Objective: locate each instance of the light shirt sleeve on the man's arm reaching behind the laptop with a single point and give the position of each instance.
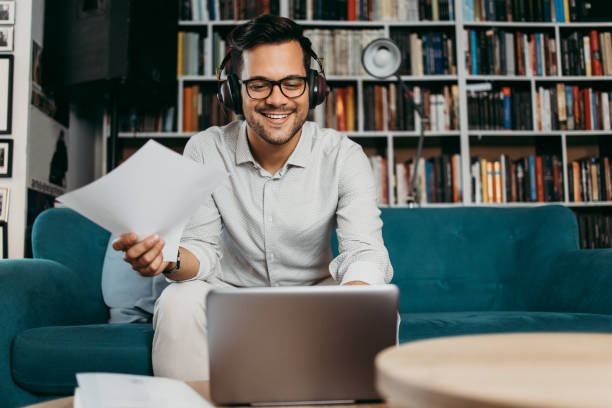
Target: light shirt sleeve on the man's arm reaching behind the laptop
(362, 253)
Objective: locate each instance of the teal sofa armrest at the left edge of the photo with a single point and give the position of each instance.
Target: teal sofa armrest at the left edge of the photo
(35, 293)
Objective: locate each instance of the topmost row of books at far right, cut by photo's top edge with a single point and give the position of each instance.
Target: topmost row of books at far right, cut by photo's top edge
(532, 10)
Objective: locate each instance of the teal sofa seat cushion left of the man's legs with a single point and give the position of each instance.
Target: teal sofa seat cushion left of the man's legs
(46, 359)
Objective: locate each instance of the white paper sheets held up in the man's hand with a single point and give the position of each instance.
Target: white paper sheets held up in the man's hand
(155, 191)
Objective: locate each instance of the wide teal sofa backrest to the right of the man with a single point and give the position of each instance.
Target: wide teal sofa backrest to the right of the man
(475, 258)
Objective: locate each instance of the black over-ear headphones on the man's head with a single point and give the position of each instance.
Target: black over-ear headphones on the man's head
(229, 95)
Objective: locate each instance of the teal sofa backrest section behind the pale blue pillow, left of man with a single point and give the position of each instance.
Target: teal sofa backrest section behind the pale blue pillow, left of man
(63, 235)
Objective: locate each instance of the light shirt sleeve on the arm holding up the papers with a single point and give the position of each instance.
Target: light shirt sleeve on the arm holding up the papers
(202, 233)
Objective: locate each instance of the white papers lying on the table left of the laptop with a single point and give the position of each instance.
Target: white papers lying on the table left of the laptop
(106, 390)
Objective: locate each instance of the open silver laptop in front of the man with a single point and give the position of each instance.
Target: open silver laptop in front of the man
(298, 344)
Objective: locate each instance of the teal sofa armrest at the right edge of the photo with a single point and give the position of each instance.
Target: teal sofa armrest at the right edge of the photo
(581, 282)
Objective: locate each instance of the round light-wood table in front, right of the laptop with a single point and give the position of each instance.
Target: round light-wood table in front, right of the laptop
(500, 370)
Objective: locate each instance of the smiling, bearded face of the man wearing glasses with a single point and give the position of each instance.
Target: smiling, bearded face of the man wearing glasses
(277, 118)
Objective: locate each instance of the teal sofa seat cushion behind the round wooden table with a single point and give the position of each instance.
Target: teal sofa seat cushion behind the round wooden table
(417, 326)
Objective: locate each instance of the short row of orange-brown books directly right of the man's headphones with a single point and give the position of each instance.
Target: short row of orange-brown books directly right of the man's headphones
(338, 110)
